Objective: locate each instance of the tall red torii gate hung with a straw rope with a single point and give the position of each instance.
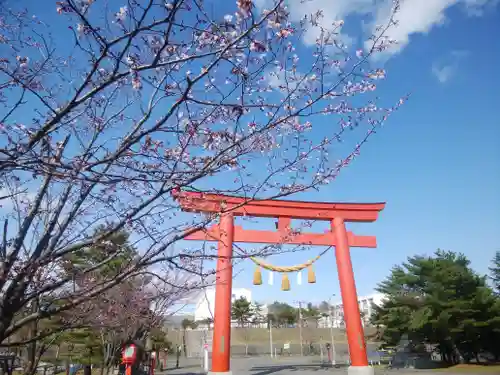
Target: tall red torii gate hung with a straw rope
(226, 233)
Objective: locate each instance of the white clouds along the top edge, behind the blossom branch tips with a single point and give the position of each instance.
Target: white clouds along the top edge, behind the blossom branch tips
(415, 16)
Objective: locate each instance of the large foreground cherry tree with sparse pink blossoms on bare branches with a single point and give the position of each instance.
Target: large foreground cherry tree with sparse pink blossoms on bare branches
(108, 109)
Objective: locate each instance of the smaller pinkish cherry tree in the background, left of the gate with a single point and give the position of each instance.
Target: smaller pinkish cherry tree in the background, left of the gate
(126, 312)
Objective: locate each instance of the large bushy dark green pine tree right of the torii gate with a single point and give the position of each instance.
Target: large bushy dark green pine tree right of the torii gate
(440, 300)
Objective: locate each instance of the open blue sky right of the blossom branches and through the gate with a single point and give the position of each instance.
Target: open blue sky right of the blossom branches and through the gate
(436, 162)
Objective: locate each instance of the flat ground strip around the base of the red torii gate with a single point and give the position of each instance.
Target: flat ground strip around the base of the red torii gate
(310, 366)
